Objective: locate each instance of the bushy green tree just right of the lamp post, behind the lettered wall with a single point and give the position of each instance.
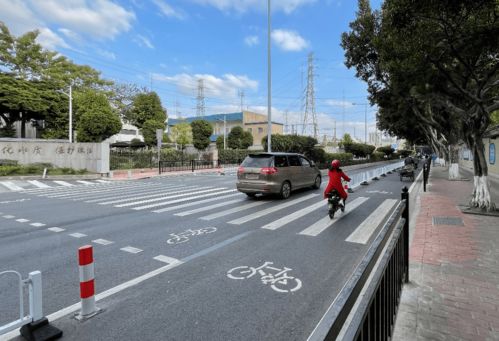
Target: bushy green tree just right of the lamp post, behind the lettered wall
(97, 120)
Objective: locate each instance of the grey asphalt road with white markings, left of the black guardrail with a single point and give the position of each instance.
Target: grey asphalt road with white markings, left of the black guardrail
(151, 289)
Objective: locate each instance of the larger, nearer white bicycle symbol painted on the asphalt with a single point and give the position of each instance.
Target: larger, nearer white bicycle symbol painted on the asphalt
(278, 279)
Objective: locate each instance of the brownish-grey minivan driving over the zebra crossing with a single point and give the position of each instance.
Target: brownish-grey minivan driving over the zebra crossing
(276, 173)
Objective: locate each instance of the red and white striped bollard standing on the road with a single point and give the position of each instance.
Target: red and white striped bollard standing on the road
(87, 284)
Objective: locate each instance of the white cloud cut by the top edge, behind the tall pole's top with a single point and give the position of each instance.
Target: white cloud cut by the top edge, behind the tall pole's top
(242, 6)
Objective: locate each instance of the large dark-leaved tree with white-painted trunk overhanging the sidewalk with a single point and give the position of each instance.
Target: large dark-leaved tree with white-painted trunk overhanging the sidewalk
(432, 69)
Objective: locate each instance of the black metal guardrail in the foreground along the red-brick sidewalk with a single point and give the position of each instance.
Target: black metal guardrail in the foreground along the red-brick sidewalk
(371, 316)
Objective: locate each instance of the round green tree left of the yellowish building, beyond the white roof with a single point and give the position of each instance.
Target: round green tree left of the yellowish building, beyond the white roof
(145, 106)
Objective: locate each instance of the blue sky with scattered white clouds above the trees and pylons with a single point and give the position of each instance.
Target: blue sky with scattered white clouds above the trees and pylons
(168, 45)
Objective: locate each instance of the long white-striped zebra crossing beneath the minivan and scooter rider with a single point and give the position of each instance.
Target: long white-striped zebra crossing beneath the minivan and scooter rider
(225, 204)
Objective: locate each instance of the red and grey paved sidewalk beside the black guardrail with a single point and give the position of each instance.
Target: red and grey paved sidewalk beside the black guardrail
(453, 293)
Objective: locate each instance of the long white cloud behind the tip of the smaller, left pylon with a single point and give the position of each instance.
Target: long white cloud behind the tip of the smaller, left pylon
(224, 87)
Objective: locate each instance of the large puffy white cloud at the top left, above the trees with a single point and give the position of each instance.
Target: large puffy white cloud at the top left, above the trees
(101, 19)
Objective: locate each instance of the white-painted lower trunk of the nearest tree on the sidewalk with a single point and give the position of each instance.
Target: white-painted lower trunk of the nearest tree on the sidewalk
(481, 187)
